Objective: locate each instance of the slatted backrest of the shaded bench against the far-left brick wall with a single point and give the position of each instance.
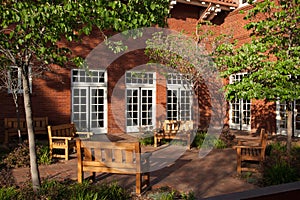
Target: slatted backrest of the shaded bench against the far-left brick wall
(38, 122)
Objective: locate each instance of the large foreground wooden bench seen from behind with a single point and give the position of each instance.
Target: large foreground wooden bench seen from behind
(113, 157)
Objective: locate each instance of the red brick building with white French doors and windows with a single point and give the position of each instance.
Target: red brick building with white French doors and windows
(109, 101)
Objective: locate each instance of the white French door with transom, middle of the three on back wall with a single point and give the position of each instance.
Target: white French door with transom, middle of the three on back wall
(140, 100)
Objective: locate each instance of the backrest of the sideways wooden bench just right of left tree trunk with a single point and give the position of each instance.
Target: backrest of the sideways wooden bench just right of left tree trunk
(63, 130)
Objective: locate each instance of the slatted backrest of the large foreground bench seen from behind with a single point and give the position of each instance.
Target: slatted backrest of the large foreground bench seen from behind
(114, 157)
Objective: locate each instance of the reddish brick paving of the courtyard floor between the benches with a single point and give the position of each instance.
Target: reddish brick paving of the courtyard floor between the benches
(215, 174)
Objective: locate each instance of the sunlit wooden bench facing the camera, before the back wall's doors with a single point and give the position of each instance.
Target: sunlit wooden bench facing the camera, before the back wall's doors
(173, 129)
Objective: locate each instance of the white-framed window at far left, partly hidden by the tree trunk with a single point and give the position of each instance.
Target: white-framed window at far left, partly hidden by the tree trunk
(15, 80)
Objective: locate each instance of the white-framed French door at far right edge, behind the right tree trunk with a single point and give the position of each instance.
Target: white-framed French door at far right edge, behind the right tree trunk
(282, 118)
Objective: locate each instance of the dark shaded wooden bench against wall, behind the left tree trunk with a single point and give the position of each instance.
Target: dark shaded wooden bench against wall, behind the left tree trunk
(11, 127)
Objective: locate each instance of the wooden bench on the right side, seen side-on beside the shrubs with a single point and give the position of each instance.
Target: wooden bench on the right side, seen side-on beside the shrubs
(251, 152)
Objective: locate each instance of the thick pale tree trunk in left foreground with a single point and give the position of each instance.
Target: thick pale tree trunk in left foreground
(35, 175)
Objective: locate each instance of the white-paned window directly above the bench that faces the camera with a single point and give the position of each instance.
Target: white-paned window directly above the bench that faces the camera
(179, 98)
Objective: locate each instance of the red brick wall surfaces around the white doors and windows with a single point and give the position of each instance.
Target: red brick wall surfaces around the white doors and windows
(52, 95)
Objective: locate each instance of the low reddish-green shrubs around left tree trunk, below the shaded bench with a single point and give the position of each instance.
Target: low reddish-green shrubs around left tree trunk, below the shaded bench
(19, 156)
